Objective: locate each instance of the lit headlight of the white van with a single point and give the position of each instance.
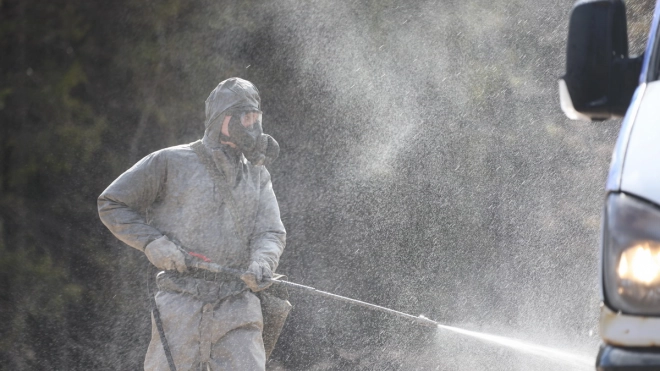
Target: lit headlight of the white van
(631, 255)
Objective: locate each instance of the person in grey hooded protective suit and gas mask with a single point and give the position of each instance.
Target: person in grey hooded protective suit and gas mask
(212, 197)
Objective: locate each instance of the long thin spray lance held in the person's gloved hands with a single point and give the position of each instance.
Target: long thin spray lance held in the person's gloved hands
(199, 261)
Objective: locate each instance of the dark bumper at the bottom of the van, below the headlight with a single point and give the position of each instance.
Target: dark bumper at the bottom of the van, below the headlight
(611, 358)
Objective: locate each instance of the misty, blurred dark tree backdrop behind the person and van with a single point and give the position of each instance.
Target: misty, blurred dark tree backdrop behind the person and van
(424, 167)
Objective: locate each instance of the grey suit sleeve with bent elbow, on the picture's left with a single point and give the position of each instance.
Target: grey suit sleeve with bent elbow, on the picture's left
(123, 205)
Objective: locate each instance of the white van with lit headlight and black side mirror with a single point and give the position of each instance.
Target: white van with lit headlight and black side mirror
(602, 82)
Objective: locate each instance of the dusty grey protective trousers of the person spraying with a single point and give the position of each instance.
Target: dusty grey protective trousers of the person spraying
(225, 335)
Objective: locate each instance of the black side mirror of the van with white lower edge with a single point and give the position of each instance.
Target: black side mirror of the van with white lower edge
(600, 79)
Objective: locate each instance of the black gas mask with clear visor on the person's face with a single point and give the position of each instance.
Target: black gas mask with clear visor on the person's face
(245, 132)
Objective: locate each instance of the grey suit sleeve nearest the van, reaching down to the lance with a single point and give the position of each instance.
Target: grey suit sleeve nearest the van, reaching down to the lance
(269, 236)
